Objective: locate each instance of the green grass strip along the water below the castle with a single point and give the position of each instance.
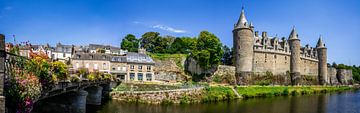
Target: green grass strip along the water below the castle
(265, 91)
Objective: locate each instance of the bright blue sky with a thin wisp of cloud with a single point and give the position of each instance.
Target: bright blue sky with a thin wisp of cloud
(81, 22)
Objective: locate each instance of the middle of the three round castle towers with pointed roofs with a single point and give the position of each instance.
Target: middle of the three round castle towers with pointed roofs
(294, 43)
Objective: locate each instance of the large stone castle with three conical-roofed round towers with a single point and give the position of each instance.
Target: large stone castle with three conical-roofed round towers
(256, 54)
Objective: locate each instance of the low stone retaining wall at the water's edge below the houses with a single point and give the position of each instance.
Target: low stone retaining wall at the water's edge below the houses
(158, 97)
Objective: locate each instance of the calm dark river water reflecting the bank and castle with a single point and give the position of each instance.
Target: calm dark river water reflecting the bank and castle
(345, 102)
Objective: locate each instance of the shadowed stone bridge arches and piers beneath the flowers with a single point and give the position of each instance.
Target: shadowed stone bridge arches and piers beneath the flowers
(68, 97)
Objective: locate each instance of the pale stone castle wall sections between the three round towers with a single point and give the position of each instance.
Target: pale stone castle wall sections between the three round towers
(279, 63)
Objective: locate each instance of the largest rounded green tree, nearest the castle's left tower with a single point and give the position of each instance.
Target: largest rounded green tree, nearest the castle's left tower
(208, 52)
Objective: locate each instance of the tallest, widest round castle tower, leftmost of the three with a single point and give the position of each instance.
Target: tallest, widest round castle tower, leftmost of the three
(243, 46)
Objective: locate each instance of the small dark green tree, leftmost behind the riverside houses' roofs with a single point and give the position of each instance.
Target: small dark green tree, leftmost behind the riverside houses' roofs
(130, 43)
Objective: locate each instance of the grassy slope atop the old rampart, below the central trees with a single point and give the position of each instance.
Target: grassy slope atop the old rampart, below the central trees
(176, 57)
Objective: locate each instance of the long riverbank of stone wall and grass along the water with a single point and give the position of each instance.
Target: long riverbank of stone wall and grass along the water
(218, 93)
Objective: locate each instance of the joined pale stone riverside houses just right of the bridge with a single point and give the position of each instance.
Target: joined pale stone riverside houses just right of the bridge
(127, 67)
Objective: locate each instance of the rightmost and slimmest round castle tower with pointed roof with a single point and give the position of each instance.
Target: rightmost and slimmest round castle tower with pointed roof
(322, 65)
